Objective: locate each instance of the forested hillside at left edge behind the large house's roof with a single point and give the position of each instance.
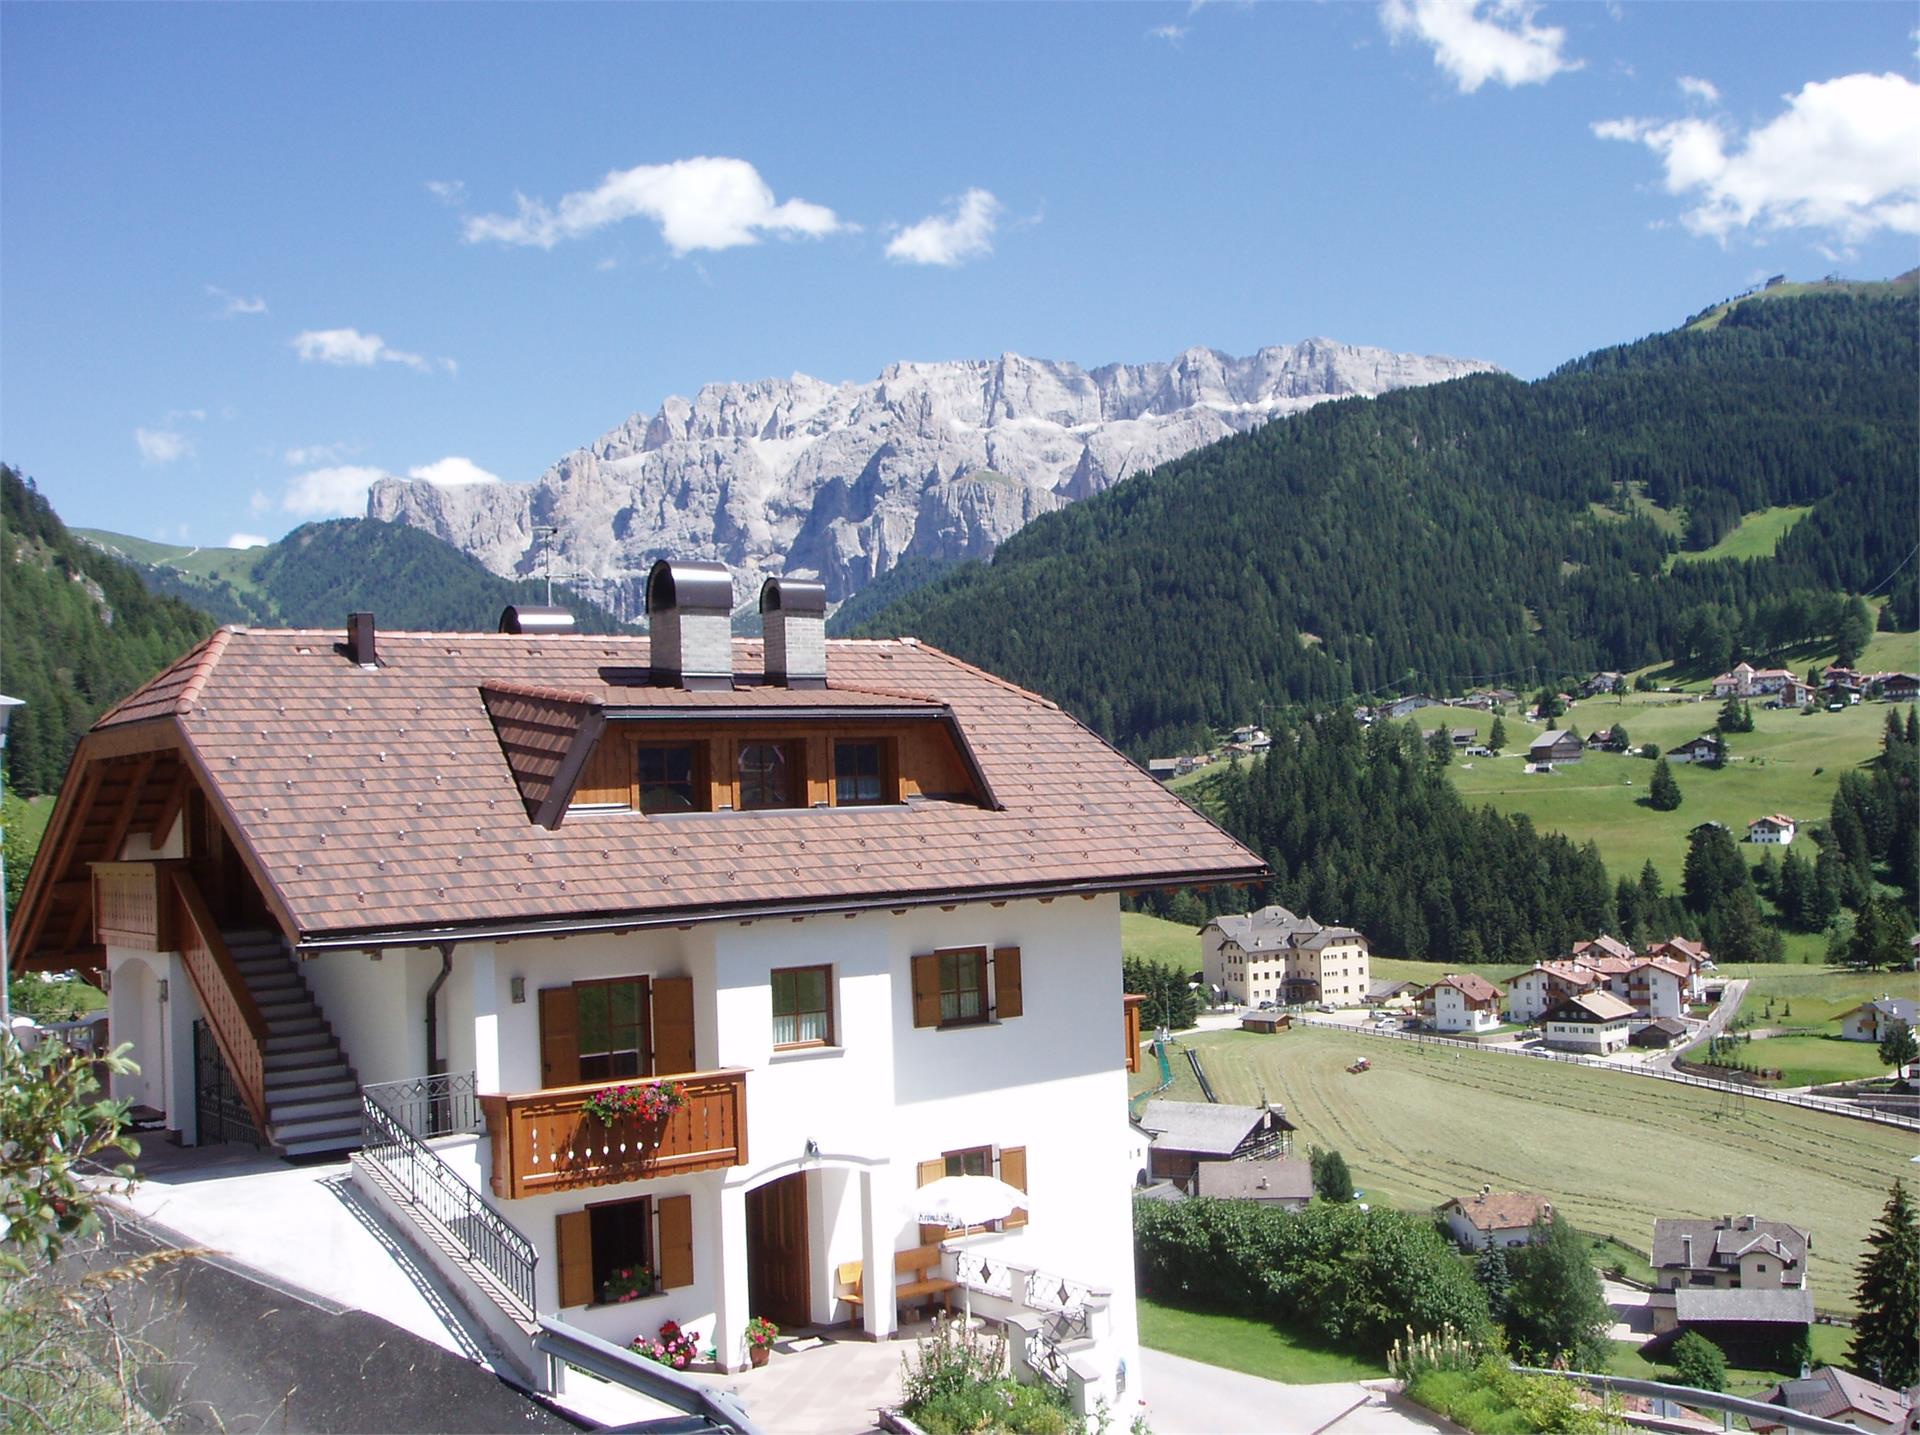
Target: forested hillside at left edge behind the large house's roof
(78, 633)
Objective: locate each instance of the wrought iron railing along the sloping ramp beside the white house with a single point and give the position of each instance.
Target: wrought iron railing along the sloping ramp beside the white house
(433, 1186)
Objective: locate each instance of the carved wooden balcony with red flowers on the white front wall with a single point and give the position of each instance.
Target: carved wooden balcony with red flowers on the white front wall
(544, 1142)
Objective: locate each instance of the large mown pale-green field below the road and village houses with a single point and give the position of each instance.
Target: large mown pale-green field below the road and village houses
(1614, 1152)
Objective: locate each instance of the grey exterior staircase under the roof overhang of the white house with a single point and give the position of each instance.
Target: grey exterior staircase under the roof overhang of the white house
(314, 1098)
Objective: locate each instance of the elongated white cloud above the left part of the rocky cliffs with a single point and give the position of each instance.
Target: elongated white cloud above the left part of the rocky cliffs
(700, 205)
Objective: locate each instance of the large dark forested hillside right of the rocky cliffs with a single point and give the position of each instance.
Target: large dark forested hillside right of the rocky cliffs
(1477, 531)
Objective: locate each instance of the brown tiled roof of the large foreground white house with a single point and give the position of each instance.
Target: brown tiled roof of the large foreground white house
(381, 800)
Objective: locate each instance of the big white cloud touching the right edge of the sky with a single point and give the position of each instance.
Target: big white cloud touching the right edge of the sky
(1842, 158)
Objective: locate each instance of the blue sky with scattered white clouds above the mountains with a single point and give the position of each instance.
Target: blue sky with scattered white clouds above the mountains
(254, 256)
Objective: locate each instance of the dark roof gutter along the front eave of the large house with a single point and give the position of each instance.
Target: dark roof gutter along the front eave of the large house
(427, 936)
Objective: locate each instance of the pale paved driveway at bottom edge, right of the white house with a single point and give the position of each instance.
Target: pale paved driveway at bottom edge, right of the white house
(1188, 1398)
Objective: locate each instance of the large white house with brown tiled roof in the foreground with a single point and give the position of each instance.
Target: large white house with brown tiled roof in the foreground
(823, 921)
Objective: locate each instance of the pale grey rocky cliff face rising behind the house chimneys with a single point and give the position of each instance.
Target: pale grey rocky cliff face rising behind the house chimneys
(844, 481)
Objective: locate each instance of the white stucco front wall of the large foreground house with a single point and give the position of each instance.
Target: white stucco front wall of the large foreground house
(882, 1100)
